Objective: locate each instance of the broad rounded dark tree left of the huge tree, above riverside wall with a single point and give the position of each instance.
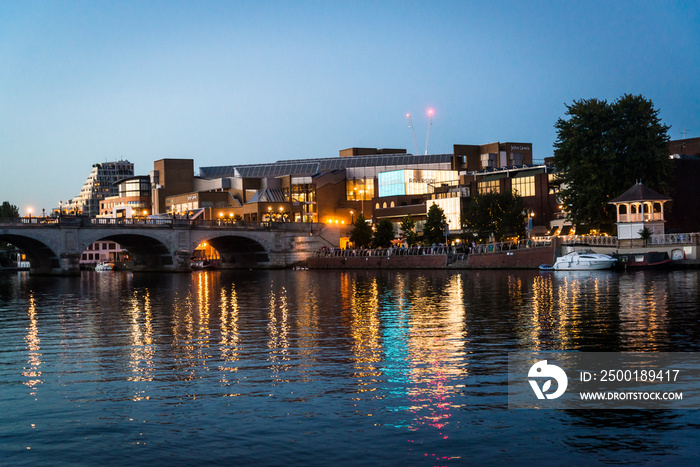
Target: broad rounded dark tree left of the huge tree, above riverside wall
(498, 214)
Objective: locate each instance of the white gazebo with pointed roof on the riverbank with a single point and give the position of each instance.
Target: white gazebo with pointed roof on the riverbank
(637, 208)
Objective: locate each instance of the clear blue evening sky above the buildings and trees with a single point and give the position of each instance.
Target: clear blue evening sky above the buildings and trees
(257, 81)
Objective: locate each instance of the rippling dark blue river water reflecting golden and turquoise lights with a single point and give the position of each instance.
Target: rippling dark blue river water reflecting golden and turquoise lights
(326, 367)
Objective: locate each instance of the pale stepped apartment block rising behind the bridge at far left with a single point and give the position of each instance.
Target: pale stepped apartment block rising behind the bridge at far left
(100, 184)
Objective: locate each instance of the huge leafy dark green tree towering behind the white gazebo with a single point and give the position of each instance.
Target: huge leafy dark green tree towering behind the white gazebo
(603, 149)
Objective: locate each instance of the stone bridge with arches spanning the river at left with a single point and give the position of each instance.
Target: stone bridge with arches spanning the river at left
(54, 245)
